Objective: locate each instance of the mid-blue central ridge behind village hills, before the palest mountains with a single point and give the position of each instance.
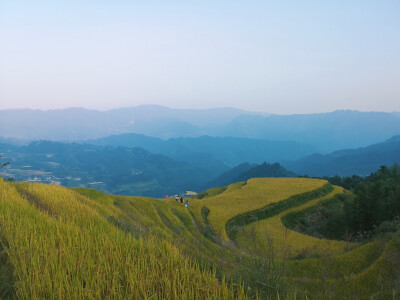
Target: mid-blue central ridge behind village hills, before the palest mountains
(218, 154)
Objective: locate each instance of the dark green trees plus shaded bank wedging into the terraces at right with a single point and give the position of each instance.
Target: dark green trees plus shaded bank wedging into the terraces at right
(371, 208)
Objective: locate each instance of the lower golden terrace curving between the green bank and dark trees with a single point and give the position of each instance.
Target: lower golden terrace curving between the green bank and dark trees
(271, 232)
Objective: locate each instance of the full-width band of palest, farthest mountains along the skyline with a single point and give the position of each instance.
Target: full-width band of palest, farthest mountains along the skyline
(326, 132)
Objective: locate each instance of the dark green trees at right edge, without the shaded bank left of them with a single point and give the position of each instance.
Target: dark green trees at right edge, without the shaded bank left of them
(372, 207)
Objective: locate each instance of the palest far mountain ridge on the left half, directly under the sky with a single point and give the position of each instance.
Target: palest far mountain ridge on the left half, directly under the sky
(79, 124)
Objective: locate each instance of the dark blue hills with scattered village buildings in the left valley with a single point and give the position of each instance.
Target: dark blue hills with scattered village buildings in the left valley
(114, 170)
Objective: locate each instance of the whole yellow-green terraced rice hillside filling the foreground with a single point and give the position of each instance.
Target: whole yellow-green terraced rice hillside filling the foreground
(80, 243)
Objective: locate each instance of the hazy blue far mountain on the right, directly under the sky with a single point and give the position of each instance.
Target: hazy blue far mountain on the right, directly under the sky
(328, 131)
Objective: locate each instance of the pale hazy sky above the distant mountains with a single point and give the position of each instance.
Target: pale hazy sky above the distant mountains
(272, 56)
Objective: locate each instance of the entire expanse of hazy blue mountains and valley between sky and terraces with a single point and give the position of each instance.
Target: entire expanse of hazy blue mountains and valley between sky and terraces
(189, 149)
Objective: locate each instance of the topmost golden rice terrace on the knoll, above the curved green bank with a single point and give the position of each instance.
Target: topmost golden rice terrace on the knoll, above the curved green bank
(241, 198)
